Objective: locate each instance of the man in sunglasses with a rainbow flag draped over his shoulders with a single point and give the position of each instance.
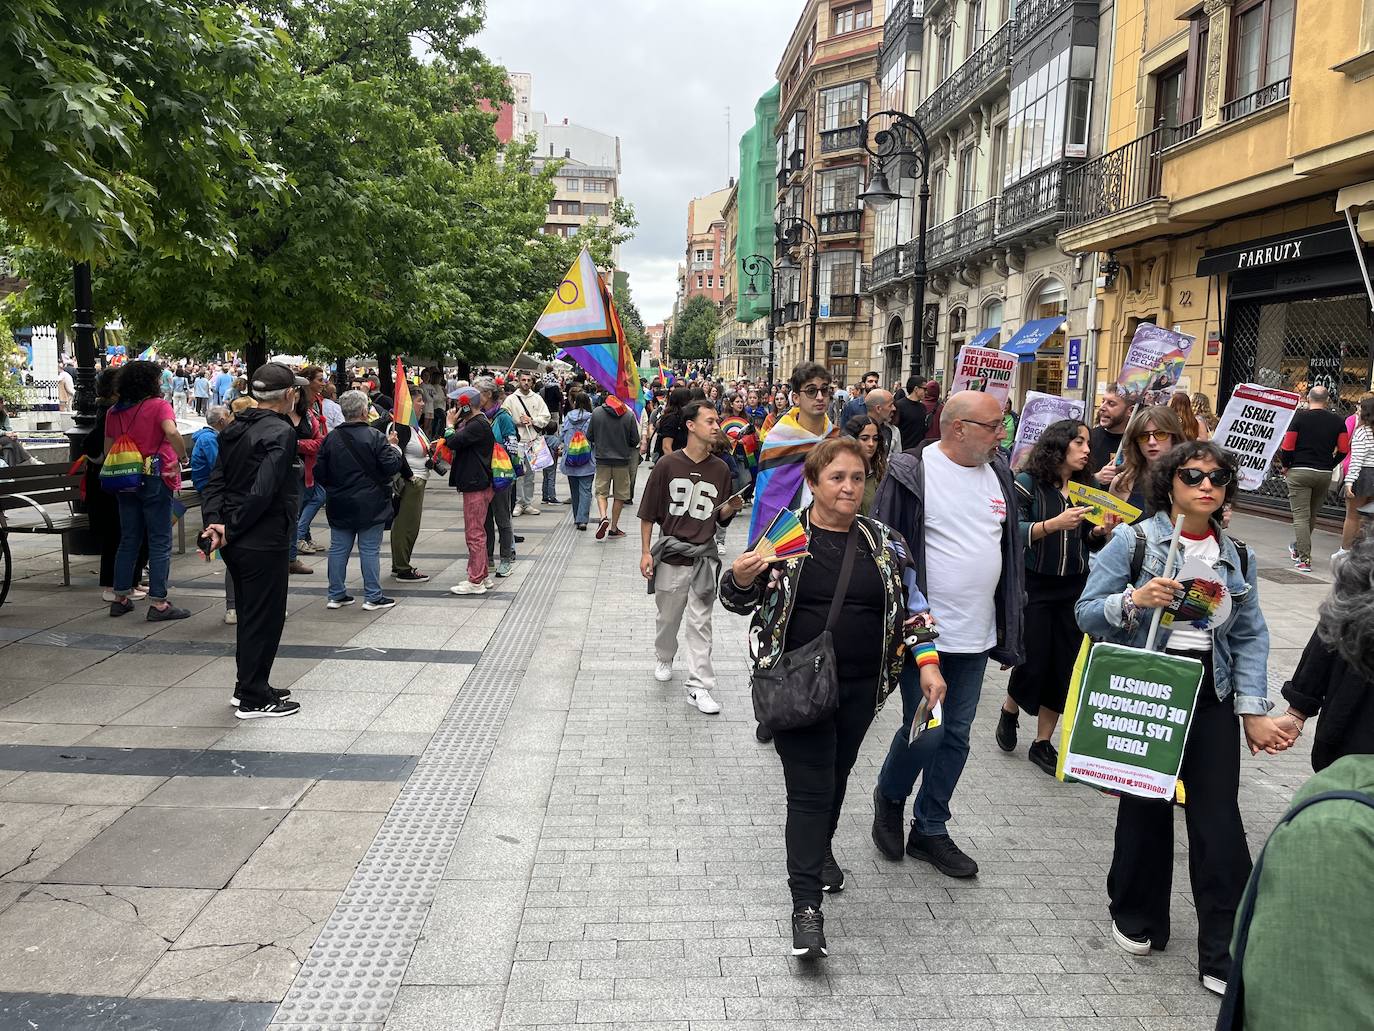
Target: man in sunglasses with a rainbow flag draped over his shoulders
(780, 483)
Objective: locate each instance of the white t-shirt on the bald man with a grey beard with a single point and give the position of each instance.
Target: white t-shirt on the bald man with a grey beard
(965, 515)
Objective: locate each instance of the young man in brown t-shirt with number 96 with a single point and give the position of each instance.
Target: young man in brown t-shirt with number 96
(688, 497)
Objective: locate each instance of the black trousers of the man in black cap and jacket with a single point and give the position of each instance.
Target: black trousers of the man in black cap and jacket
(260, 599)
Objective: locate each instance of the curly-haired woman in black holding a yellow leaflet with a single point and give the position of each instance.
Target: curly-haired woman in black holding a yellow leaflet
(1059, 541)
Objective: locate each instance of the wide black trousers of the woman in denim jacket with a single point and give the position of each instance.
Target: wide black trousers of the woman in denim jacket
(1219, 860)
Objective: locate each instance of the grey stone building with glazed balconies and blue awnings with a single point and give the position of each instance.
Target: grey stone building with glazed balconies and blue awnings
(1006, 101)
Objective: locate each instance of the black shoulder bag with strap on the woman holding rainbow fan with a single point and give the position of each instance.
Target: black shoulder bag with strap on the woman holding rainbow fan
(803, 688)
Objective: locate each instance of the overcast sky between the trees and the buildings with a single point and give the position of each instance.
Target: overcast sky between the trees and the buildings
(660, 75)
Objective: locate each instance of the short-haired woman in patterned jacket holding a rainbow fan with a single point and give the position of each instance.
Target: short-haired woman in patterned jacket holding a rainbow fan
(792, 606)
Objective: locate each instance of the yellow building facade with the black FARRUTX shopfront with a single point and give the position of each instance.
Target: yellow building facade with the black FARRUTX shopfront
(1239, 135)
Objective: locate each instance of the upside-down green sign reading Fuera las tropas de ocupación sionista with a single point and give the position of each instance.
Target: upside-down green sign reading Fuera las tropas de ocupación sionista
(1131, 716)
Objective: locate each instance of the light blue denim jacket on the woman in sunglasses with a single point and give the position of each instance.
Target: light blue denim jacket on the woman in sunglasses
(1240, 645)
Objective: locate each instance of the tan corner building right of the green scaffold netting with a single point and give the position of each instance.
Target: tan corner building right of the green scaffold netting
(826, 85)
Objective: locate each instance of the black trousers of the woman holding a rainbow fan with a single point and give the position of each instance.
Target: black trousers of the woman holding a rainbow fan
(815, 766)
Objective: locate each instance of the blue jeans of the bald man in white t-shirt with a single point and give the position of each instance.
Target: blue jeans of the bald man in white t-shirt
(939, 754)
